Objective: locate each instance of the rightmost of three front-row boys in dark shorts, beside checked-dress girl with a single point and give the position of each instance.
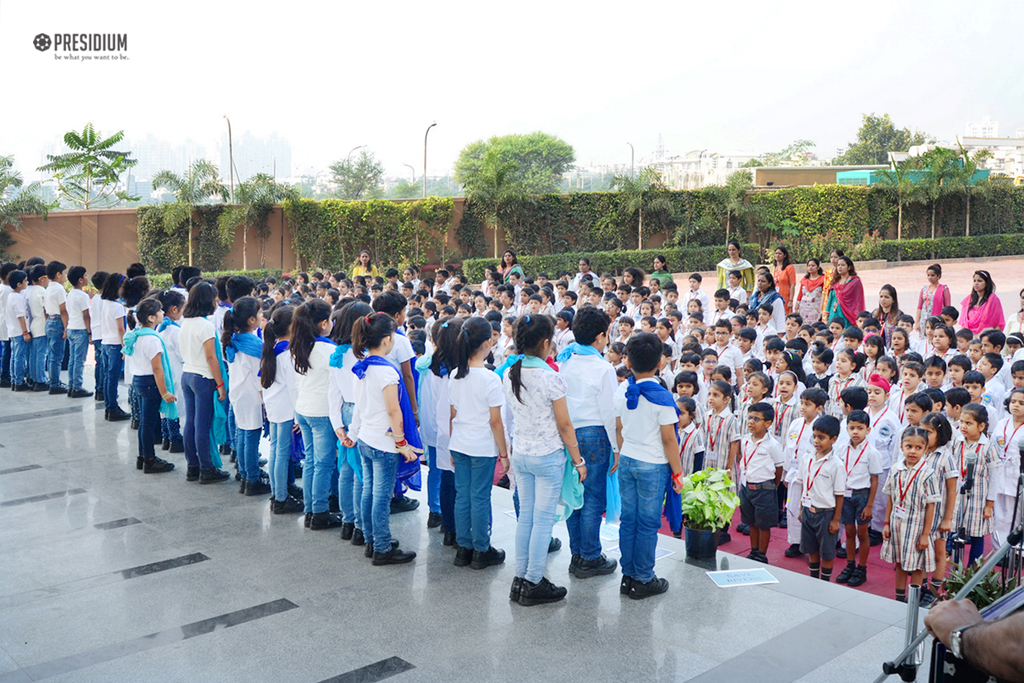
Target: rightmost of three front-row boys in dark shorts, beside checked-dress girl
(863, 466)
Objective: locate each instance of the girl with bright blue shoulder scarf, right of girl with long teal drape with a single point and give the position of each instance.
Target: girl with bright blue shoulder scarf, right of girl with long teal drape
(242, 352)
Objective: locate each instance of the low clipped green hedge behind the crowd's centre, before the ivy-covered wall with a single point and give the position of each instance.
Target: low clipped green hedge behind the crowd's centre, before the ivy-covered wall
(680, 261)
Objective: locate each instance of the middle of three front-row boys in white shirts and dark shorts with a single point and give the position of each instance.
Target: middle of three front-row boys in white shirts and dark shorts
(823, 483)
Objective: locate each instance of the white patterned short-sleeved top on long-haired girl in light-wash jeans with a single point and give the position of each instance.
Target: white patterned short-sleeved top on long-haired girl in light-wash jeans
(535, 431)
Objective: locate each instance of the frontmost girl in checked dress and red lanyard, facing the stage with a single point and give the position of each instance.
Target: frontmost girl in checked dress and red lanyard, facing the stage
(913, 493)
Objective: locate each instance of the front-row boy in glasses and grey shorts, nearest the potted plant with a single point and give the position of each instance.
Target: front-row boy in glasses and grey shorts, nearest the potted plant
(760, 473)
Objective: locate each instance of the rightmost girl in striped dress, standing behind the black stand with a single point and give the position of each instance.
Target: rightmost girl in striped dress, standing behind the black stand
(979, 468)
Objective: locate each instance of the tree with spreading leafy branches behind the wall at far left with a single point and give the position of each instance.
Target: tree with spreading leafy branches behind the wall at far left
(90, 175)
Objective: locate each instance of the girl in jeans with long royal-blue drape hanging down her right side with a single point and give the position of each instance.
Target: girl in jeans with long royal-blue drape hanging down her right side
(385, 431)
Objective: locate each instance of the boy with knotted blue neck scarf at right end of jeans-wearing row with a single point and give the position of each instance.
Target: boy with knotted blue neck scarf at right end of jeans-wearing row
(646, 425)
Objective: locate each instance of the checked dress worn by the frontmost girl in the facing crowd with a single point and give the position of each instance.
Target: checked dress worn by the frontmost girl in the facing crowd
(911, 490)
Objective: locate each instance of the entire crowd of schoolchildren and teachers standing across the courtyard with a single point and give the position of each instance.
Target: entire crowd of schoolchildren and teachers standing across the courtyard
(586, 394)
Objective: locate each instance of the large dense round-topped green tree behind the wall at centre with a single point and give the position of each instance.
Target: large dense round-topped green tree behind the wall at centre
(539, 161)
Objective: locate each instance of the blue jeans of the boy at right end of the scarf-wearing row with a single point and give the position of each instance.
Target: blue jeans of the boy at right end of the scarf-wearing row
(643, 488)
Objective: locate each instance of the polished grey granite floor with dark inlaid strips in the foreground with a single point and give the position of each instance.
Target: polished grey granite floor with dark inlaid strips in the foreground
(109, 575)
